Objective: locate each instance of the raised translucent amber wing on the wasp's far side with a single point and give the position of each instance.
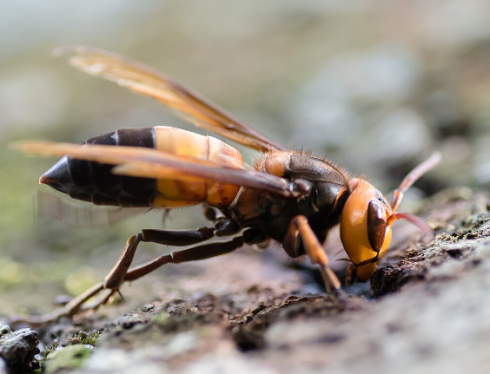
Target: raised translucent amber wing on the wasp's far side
(145, 81)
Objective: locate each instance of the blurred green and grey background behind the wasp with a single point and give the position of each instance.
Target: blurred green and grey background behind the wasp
(374, 85)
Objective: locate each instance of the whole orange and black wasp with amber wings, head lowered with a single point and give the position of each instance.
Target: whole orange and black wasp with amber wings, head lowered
(291, 197)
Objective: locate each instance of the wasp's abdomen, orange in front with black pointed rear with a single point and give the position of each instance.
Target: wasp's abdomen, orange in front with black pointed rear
(94, 182)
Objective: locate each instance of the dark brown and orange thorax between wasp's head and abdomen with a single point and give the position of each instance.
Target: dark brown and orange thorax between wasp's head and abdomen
(272, 213)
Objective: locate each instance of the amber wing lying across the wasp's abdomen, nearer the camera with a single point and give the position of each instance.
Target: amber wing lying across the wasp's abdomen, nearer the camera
(150, 163)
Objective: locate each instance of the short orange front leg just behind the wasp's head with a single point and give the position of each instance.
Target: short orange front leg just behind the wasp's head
(299, 227)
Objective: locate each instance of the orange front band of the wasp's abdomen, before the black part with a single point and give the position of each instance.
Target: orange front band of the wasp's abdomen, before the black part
(175, 193)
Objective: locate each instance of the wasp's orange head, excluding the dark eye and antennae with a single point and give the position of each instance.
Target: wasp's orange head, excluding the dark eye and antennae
(354, 229)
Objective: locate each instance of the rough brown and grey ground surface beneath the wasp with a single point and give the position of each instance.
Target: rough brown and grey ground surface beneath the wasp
(428, 311)
